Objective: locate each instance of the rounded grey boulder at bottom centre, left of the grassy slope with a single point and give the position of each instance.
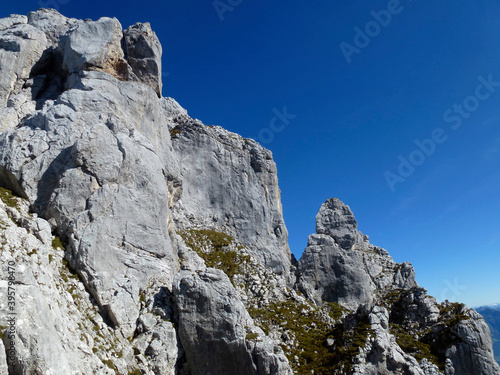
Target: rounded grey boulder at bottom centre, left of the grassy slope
(213, 328)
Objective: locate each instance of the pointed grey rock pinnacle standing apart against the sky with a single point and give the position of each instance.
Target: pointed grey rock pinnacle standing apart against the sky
(340, 265)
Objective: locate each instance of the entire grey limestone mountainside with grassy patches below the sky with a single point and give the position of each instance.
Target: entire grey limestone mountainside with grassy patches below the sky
(136, 240)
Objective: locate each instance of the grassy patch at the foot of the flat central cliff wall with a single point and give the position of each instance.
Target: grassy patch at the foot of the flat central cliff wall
(212, 247)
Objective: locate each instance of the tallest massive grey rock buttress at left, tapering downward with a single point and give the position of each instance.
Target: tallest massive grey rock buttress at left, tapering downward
(79, 158)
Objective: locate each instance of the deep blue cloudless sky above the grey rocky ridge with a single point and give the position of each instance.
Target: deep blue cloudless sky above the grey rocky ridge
(353, 120)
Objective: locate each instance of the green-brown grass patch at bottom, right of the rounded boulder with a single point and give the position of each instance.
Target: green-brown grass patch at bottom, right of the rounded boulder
(309, 330)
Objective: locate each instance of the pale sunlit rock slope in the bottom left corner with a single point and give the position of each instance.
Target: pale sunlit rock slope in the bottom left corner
(51, 332)
